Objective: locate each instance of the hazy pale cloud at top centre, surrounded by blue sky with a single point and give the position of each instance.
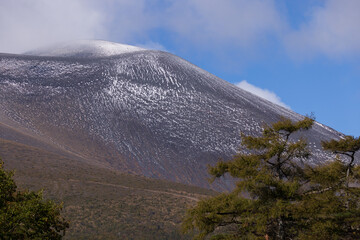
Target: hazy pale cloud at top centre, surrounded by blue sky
(213, 23)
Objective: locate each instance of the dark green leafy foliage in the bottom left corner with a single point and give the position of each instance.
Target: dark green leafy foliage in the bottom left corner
(26, 215)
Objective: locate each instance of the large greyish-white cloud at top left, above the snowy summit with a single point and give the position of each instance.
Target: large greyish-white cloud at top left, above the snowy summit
(27, 25)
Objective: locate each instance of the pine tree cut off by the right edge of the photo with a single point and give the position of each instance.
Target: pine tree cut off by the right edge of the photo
(334, 197)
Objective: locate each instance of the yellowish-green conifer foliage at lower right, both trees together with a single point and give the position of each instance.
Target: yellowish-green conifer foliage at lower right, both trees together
(279, 195)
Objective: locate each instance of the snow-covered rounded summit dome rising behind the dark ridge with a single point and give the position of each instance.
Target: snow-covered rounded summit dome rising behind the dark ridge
(85, 49)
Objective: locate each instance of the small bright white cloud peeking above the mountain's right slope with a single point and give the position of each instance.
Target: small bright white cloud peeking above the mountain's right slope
(263, 93)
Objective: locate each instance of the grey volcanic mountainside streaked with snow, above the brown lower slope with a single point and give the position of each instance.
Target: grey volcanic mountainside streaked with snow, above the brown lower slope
(145, 112)
